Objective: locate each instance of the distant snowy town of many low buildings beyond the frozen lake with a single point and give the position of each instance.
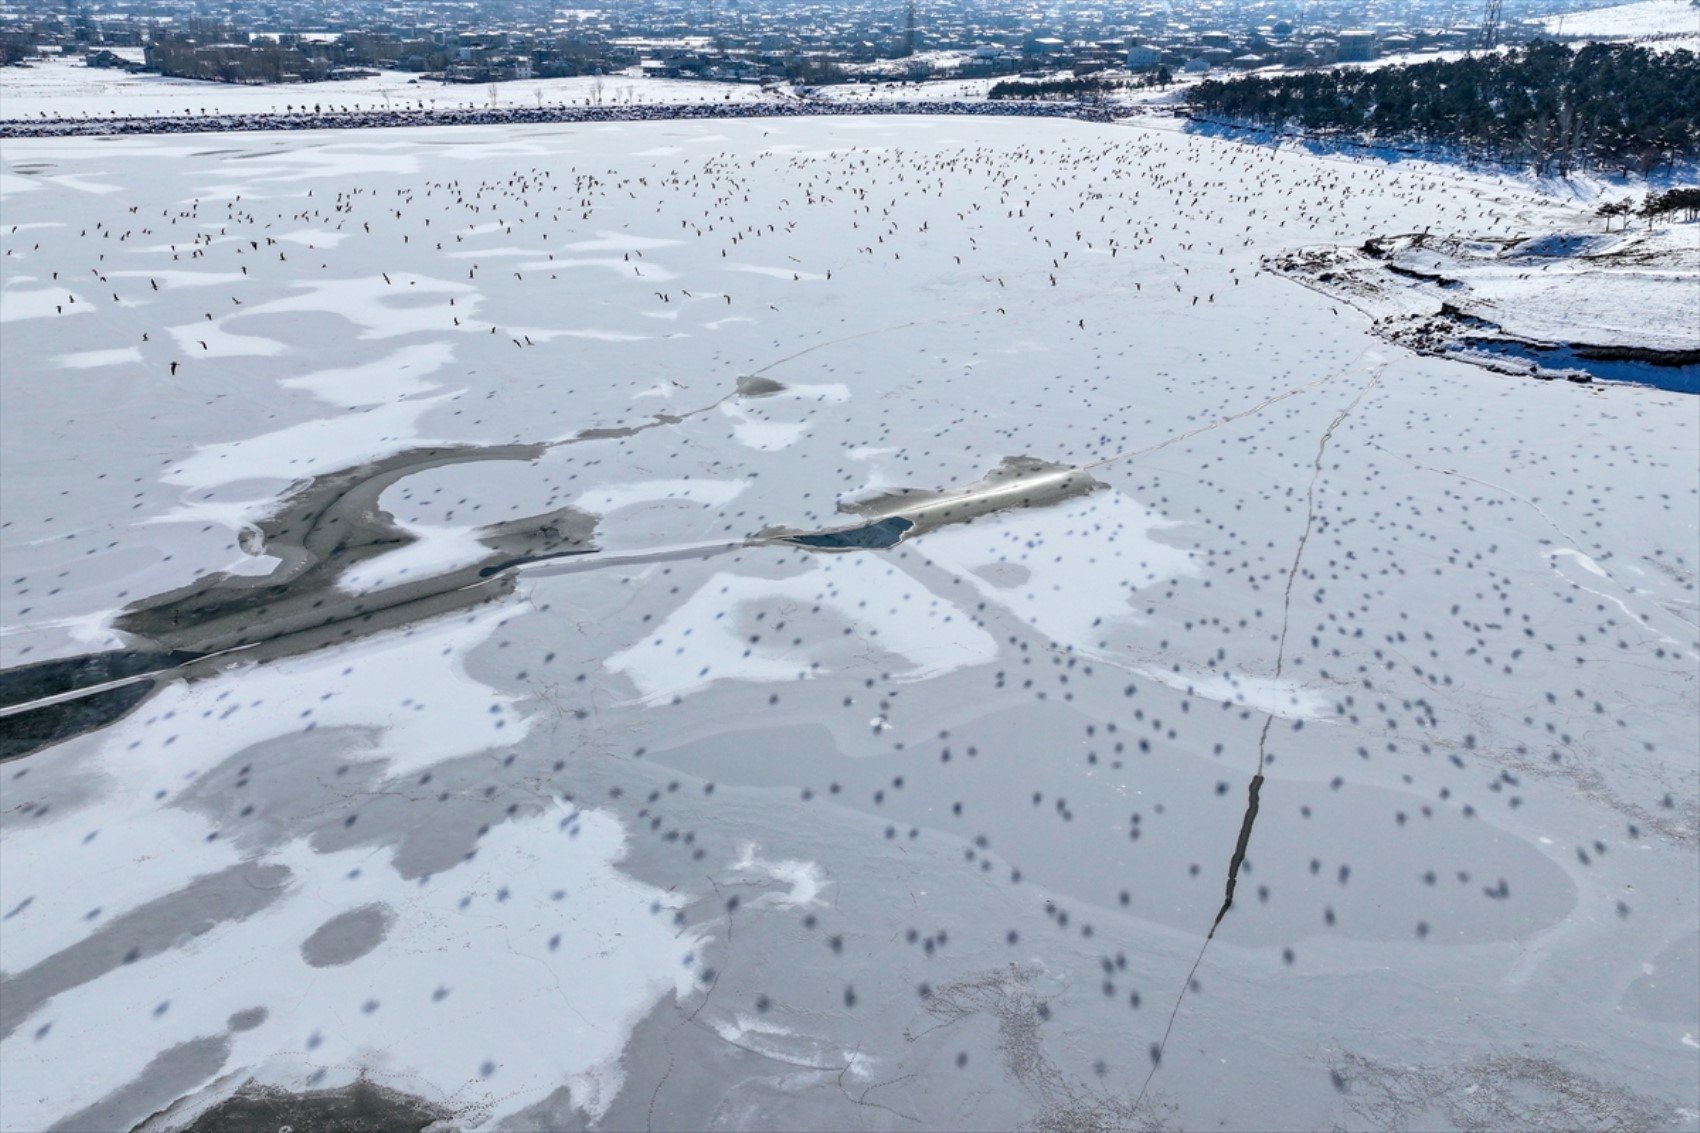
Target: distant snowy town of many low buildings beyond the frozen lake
(762, 42)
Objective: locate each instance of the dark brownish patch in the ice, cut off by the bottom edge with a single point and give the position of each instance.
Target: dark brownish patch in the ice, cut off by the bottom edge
(361, 1107)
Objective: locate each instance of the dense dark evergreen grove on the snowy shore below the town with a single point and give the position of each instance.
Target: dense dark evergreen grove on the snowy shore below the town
(1541, 106)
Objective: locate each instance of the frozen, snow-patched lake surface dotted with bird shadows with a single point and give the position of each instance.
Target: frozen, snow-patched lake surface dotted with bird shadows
(708, 829)
